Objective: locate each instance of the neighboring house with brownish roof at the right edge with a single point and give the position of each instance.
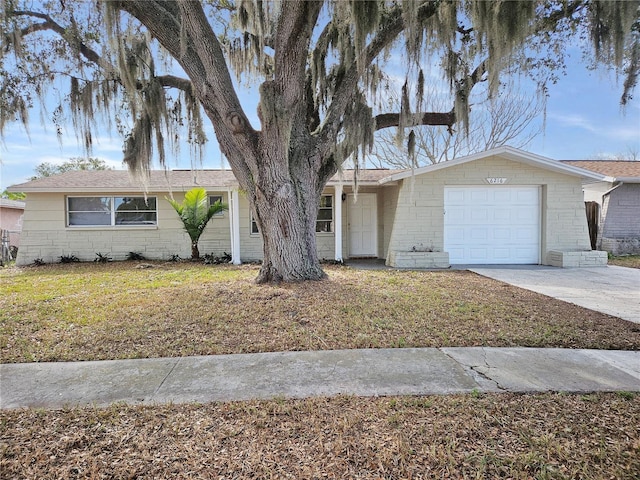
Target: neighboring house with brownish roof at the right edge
(618, 200)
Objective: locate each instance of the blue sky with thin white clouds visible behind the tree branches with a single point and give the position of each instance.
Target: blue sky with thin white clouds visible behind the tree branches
(583, 120)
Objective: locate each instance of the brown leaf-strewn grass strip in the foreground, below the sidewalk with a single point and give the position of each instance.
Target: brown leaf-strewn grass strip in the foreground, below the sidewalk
(547, 436)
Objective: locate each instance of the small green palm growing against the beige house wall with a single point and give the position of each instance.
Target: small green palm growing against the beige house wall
(195, 213)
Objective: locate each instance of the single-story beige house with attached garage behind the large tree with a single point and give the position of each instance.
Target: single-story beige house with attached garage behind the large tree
(503, 206)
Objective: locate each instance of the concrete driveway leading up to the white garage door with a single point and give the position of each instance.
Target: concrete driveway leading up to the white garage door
(611, 290)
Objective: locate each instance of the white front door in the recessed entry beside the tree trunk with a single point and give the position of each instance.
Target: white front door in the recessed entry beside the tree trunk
(363, 225)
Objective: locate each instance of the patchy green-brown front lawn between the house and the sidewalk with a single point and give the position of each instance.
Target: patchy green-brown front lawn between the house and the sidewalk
(83, 311)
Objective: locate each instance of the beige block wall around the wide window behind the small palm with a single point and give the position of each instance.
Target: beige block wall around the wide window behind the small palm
(45, 234)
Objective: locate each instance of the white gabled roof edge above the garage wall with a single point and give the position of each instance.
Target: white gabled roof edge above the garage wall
(509, 153)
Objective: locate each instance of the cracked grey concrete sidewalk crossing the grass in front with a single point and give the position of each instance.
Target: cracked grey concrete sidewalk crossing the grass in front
(370, 372)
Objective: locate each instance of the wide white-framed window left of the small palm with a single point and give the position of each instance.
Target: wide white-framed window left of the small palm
(109, 211)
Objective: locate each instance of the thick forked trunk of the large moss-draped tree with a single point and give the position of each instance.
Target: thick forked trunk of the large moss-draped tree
(279, 167)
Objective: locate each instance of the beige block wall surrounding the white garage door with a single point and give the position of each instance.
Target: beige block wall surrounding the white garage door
(419, 215)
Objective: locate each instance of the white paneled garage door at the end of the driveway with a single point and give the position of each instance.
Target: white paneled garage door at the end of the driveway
(492, 225)
